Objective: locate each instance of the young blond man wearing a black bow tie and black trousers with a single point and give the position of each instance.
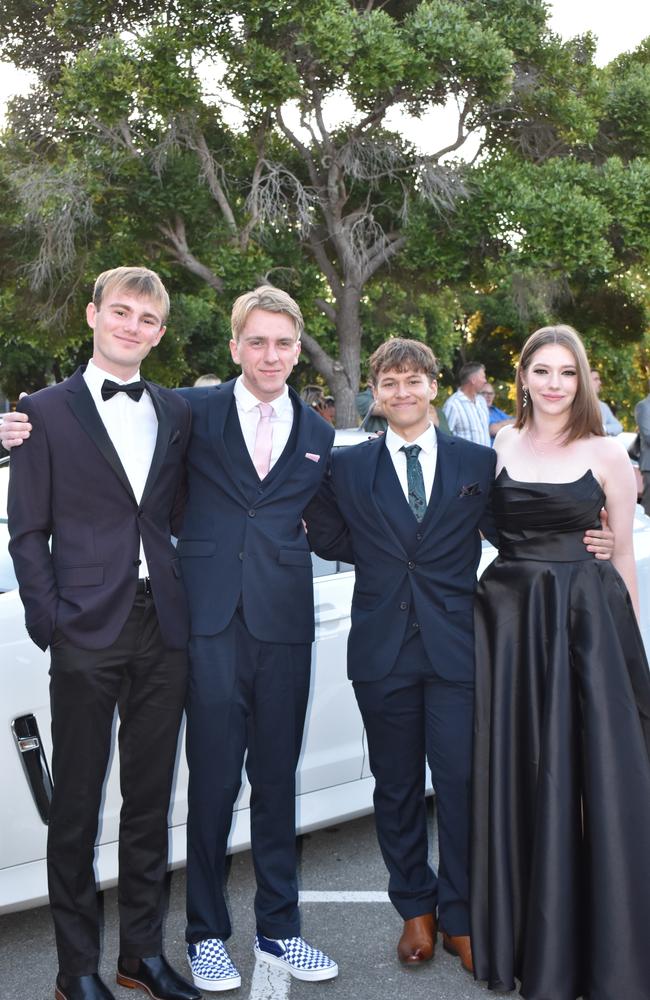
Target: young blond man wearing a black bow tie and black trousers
(101, 480)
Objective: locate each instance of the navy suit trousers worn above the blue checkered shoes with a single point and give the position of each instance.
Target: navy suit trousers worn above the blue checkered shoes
(244, 695)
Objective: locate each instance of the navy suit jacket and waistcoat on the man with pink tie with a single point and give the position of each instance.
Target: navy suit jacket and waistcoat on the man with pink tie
(243, 542)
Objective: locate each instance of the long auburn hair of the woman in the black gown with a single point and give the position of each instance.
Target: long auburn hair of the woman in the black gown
(585, 417)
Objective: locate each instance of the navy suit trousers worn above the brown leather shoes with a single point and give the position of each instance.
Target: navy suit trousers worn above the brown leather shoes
(413, 716)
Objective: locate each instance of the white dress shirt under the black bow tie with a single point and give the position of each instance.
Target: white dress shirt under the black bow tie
(132, 426)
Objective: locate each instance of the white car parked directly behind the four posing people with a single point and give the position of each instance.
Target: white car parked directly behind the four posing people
(334, 780)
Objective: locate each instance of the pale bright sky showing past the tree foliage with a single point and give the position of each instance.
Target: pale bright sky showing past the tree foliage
(619, 26)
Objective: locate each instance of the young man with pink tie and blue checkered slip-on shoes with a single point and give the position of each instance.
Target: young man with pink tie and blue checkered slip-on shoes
(257, 456)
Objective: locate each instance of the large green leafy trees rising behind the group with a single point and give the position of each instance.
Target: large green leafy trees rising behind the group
(227, 144)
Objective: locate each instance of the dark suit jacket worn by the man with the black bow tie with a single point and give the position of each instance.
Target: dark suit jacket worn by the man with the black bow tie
(67, 484)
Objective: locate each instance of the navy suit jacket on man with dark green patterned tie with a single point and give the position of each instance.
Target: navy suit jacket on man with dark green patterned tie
(432, 576)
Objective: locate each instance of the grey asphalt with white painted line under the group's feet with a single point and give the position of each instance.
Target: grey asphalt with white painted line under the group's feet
(344, 911)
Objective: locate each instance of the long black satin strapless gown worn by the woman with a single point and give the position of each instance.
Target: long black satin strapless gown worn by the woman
(561, 791)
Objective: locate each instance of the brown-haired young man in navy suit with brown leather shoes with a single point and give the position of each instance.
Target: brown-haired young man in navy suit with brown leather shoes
(406, 509)
